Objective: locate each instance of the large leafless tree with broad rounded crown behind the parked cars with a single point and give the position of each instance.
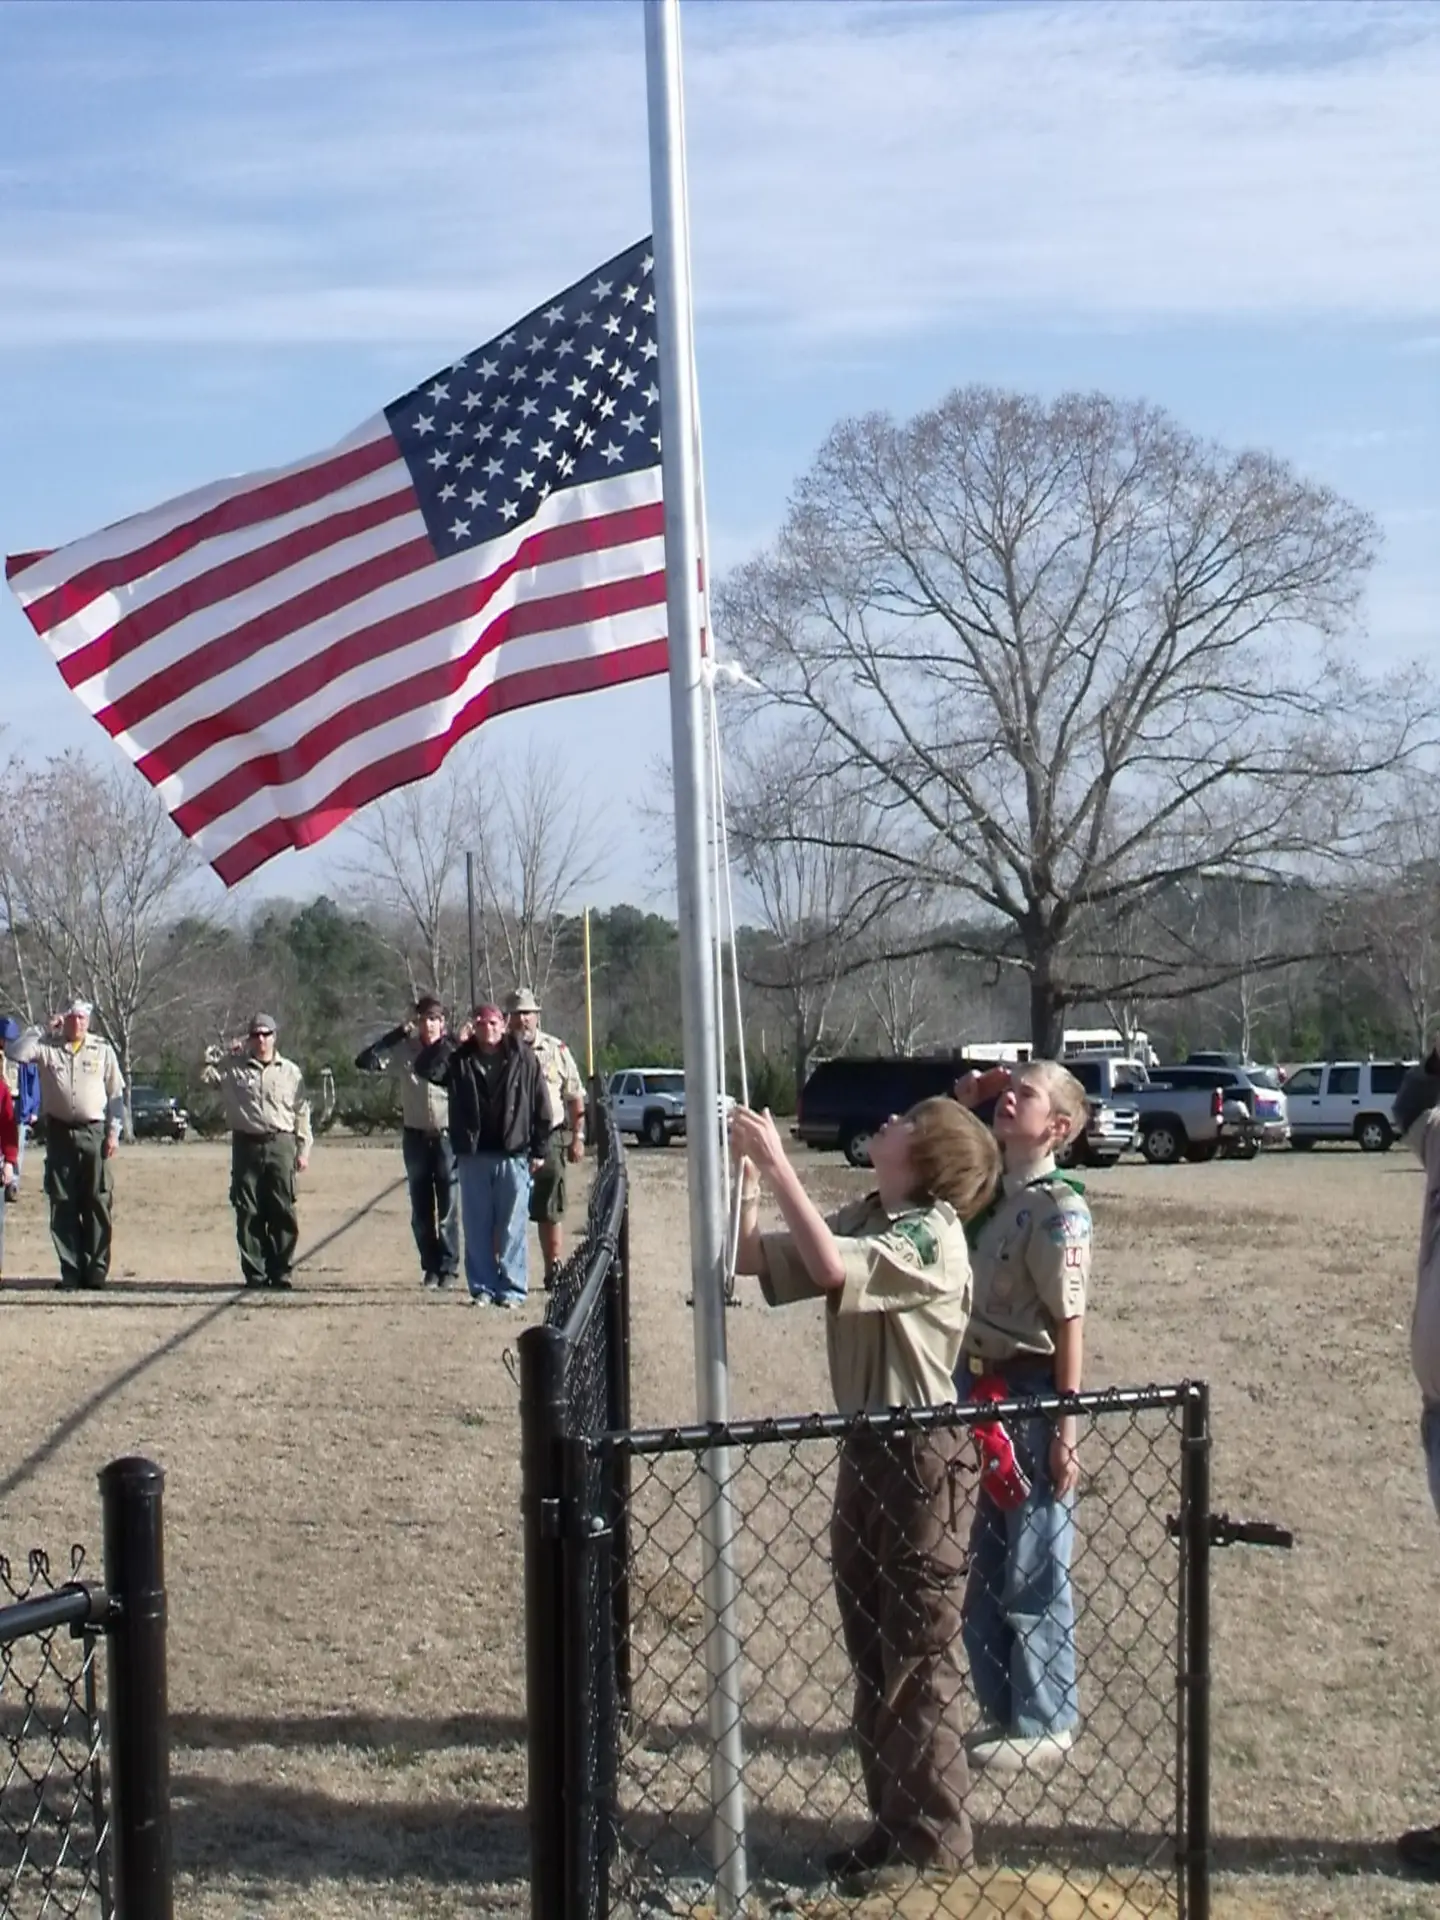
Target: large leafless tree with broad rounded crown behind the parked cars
(1072, 656)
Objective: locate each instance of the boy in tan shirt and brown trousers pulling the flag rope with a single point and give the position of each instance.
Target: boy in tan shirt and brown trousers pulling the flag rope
(896, 1278)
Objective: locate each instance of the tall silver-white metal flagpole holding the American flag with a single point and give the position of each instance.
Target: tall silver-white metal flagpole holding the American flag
(692, 782)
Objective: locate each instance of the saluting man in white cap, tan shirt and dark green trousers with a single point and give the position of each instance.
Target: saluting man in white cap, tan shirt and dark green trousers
(84, 1113)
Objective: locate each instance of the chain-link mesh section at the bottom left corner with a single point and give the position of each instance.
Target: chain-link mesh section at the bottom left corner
(53, 1806)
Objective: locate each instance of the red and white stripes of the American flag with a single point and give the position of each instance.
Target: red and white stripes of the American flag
(276, 652)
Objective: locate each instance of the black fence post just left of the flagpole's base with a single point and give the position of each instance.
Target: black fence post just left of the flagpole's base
(542, 1514)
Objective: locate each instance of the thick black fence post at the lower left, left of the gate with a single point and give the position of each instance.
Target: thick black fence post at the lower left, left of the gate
(139, 1712)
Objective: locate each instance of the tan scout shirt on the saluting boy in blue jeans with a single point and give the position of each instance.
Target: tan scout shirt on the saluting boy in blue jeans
(1032, 1268)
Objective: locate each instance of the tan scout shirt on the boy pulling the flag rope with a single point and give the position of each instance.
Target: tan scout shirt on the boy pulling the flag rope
(894, 1332)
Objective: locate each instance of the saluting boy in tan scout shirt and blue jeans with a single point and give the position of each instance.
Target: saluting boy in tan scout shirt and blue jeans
(1032, 1257)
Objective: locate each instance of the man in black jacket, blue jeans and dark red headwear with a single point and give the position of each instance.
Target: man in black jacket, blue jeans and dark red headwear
(500, 1130)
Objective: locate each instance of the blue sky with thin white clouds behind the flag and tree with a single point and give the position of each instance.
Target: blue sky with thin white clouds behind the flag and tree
(229, 233)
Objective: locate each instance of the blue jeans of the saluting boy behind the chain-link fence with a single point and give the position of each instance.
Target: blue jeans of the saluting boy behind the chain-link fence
(1019, 1614)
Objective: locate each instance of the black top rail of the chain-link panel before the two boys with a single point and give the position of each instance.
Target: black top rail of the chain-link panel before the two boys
(700, 1439)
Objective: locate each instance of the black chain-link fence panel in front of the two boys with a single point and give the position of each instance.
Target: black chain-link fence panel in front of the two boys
(827, 1750)
